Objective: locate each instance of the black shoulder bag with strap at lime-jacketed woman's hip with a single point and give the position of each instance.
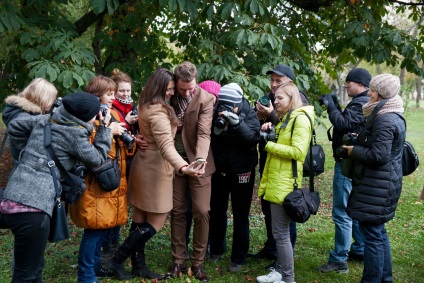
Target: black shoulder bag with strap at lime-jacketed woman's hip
(301, 203)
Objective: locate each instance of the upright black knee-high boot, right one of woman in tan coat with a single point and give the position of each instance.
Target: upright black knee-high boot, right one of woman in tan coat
(138, 259)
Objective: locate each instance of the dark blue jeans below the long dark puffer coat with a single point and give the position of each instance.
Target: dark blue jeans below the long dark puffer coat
(377, 254)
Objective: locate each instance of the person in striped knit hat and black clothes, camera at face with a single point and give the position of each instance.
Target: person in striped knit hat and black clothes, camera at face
(234, 142)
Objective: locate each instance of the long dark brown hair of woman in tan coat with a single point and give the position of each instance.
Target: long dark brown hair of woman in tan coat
(155, 89)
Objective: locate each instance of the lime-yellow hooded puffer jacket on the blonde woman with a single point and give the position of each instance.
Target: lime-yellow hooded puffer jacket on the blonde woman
(277, 177)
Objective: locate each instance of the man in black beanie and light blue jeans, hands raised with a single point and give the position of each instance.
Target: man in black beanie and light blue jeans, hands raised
(349, 120)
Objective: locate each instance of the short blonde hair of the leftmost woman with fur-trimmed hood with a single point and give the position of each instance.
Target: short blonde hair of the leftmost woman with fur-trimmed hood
(40, 92)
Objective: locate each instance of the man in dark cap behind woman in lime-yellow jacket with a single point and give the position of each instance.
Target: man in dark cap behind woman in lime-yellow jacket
(265, 111)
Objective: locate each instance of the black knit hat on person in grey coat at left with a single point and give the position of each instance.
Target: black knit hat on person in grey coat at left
(83, 105)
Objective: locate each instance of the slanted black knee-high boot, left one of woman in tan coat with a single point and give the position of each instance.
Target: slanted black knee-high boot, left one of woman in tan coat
(116, 264)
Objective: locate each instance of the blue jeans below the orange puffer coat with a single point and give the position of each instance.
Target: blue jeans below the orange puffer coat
(89, 255)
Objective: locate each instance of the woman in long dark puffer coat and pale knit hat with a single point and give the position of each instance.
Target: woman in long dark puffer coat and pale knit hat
(377, 176)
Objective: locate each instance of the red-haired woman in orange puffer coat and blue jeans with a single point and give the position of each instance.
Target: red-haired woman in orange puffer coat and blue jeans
(97, 211)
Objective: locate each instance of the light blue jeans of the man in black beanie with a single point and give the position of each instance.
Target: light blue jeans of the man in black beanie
(345, 228)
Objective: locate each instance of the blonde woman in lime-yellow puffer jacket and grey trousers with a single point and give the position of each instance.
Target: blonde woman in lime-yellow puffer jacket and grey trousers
(277, 179)
